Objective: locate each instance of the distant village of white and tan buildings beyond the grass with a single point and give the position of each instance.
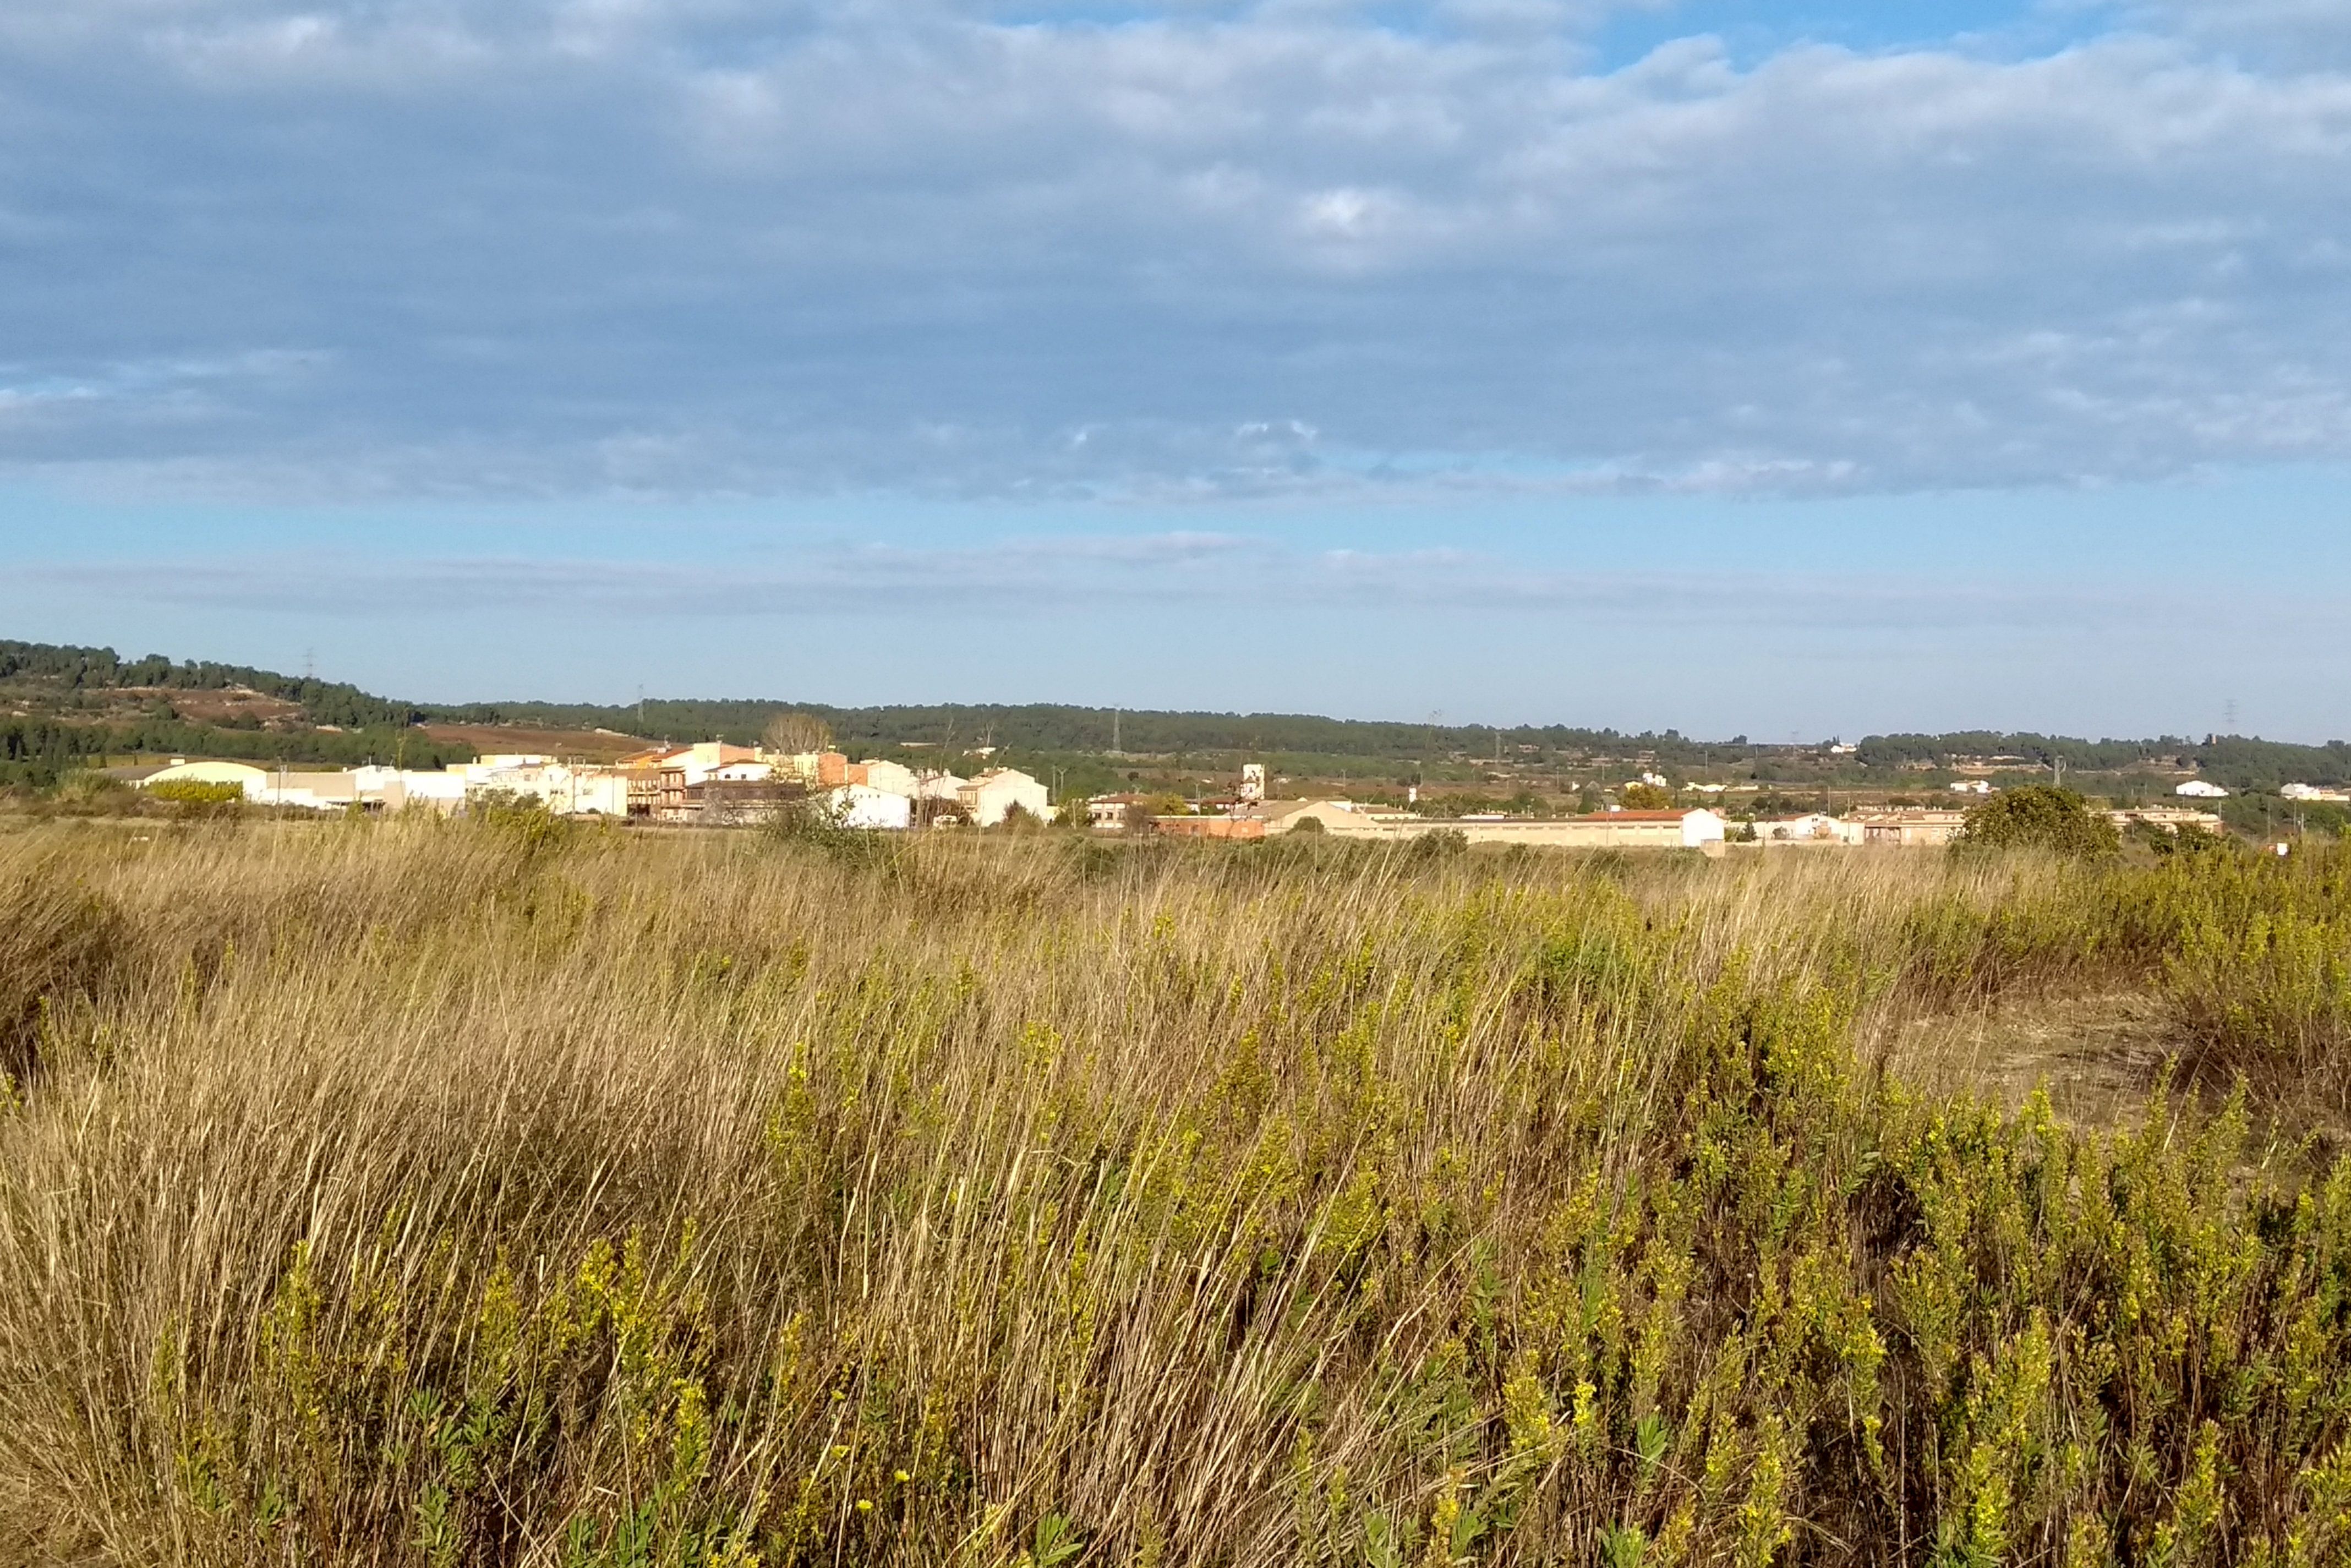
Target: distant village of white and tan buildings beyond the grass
(737, 786)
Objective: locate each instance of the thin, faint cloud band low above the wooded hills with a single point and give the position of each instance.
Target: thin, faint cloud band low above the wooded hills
(1226, 572)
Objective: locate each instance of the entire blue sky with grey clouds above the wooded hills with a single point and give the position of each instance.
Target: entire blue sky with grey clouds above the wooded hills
(1729, 366)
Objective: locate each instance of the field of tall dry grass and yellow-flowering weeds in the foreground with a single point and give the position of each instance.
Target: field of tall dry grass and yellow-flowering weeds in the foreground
(497, 1193)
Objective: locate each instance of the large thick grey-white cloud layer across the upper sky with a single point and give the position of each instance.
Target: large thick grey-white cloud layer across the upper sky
(718, 248)
